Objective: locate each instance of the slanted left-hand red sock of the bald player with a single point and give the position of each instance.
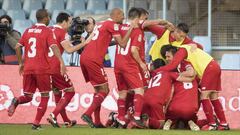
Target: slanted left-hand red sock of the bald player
(97, 101)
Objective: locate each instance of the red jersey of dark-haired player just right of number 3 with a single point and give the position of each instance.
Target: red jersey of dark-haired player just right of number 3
(61, 36)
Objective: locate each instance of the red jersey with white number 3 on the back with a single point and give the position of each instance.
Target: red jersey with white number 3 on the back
(37, 40)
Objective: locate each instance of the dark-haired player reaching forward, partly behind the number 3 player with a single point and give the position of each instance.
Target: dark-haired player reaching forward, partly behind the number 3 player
(62, 83)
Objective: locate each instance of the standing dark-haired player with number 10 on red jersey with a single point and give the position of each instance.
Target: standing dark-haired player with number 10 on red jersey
(128, 64)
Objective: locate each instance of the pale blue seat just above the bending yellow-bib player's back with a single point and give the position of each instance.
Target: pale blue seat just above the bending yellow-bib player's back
(205, 41)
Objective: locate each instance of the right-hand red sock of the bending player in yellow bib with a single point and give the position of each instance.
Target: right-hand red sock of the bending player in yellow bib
(219, 111)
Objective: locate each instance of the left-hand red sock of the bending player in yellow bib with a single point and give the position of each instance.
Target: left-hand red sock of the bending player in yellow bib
(207, 108)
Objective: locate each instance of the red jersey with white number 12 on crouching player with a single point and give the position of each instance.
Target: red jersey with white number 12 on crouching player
(160, 85)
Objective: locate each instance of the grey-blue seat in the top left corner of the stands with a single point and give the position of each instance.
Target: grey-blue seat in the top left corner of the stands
(11, 5)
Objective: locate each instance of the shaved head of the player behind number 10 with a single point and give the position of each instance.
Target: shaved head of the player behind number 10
(117, 15)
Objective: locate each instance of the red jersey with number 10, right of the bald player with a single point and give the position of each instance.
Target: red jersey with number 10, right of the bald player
(123, 58)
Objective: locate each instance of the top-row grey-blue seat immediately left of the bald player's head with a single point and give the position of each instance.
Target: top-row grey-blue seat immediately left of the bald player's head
(96, 5)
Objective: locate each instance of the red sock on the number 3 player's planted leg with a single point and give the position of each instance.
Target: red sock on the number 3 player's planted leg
(41, 110)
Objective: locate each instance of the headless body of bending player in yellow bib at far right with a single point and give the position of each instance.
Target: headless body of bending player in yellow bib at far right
(209, 72)
